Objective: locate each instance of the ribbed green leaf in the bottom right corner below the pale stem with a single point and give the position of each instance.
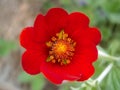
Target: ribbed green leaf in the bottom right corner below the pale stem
(112, 81)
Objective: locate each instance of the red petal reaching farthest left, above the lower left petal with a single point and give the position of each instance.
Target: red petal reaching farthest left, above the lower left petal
(27, 40)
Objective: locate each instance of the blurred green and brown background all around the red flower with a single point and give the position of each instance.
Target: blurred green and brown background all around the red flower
(17, 14)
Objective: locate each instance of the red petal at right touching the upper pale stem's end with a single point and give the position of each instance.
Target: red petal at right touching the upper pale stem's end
(86, 49)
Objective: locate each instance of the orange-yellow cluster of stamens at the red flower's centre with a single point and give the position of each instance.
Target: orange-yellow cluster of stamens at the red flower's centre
(61, 49)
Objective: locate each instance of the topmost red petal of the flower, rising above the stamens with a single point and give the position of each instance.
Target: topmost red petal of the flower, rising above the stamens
(56, 19)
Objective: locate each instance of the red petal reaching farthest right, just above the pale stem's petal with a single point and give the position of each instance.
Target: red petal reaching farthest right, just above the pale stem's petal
(88, 35)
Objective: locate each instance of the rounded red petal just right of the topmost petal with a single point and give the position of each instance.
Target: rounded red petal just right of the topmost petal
(77, 20)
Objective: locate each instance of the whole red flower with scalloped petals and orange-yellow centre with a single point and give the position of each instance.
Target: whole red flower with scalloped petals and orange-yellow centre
(62, 46)
